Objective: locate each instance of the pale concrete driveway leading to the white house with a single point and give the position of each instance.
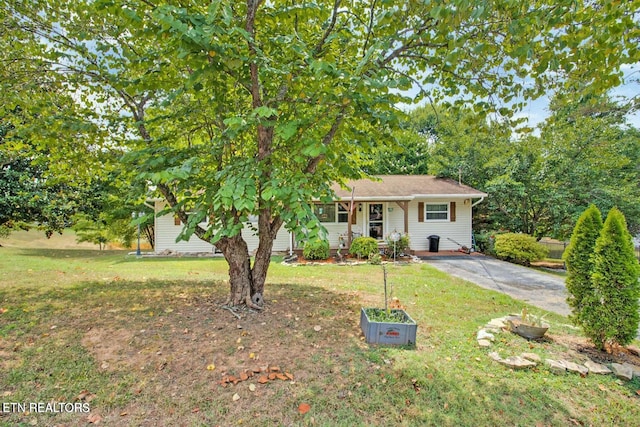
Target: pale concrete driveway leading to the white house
(540, 289)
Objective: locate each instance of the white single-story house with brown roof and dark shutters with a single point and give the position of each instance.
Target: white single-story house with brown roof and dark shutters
(418, 205)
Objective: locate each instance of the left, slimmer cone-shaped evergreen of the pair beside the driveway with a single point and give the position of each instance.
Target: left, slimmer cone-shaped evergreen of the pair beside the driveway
(577, 258)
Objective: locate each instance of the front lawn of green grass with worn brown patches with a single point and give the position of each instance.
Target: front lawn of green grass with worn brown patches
(135, 338)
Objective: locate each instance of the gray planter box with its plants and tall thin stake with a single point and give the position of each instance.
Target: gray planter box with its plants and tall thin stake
(392, 326)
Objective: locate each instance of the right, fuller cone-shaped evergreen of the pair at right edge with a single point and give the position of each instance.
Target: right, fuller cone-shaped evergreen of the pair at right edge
(610, 312)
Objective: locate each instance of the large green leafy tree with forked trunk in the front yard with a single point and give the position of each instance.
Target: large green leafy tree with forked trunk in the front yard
(239, 110)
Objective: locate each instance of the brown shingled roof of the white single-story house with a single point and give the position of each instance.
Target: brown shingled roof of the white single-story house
(405, 187)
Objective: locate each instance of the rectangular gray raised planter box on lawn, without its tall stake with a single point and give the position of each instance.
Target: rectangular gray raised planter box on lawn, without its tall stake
(388, 333)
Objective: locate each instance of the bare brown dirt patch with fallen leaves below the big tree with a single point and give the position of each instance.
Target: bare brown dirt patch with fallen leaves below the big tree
(182, 358)
